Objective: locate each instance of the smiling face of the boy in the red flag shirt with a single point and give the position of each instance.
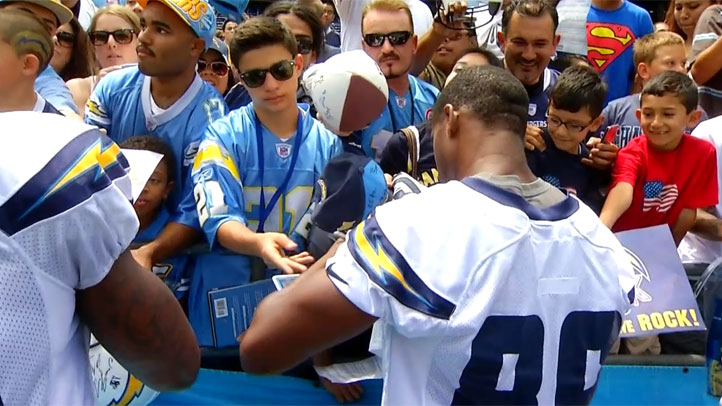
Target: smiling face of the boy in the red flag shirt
(664, 120)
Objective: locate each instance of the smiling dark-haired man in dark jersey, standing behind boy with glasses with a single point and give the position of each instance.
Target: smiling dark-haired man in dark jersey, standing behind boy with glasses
(528, 39)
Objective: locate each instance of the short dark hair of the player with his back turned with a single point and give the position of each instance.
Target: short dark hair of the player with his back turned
(493, 95)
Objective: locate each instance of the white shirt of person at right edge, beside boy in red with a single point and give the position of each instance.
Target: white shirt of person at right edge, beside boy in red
(694, 249)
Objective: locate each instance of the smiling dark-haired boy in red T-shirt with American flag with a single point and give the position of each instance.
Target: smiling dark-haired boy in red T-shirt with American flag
(664, 175)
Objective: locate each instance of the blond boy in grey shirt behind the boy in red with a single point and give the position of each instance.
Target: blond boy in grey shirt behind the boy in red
(653, 54)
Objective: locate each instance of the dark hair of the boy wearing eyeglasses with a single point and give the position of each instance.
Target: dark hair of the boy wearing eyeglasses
(579, 87)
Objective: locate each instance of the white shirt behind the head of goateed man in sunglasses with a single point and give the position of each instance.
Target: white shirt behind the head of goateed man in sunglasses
(350, 11)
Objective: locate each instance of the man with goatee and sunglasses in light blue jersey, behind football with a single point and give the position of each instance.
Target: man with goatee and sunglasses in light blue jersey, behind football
(388, 38)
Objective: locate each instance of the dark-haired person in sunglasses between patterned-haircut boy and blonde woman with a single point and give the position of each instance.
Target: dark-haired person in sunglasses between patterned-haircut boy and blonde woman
(72, 57)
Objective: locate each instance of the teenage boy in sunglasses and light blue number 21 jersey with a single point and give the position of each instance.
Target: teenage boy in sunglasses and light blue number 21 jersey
(255, 171)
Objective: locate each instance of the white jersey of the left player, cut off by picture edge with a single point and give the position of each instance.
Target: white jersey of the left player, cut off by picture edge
(65, 217)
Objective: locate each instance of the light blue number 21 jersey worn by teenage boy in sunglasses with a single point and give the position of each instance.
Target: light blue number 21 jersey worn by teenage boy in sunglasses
(228, 181)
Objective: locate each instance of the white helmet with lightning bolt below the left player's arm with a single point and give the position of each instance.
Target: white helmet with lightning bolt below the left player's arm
(113, 384)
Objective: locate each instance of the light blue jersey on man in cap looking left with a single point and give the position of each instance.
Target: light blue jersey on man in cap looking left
(121, 104)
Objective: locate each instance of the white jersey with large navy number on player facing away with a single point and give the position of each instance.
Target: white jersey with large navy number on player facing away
(483, 298)
